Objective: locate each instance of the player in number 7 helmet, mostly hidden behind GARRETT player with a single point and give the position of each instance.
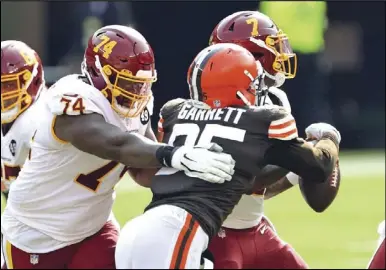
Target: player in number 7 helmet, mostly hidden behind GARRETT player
(231, 247)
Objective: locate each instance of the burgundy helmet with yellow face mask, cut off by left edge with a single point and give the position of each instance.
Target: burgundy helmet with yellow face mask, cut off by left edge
(21, 78)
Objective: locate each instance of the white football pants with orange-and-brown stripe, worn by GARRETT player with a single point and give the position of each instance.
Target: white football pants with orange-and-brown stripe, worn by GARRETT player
(164, 237)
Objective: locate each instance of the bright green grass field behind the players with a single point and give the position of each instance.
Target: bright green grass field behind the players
(344, 236)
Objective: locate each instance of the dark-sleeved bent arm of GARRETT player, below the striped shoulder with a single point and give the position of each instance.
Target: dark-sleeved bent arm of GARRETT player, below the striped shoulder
(314, 163)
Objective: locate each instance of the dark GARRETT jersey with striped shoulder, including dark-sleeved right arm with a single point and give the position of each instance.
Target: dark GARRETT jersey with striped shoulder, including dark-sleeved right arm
(254, 136)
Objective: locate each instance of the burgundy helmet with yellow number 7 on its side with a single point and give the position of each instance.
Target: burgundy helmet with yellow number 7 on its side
(260, 35)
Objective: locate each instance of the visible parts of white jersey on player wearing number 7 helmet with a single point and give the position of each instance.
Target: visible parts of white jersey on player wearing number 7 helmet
(250, 209)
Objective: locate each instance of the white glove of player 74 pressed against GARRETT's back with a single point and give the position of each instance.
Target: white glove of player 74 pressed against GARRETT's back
(205, 162)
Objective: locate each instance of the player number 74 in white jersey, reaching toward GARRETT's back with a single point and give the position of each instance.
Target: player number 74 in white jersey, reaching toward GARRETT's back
(59, 210)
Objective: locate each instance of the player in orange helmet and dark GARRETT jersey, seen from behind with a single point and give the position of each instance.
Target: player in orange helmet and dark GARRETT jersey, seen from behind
(183, 215)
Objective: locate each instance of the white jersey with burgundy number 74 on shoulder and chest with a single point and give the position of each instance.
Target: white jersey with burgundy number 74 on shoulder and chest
(64, 195)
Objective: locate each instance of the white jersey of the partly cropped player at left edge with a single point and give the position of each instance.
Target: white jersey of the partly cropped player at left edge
(15, 142)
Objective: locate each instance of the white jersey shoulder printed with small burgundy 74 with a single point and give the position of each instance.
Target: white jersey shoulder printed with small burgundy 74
(71, 96)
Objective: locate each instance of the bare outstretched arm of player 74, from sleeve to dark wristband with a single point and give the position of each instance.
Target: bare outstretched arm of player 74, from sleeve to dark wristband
(93, 135)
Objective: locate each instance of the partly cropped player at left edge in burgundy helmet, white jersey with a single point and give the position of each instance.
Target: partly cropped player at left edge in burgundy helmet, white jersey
(22, 81)
